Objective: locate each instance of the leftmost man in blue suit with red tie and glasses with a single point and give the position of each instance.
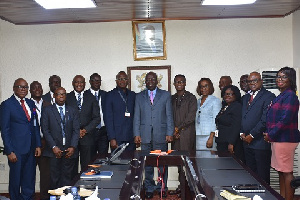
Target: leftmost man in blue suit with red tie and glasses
(21, 138)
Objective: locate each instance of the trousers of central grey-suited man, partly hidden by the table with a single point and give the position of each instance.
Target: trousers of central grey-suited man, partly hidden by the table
(149, 170)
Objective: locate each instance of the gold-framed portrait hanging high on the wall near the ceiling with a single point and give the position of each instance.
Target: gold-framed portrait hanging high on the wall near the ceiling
(149, 40)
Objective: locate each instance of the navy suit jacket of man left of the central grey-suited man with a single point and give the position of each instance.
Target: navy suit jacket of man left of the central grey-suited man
(119, 126)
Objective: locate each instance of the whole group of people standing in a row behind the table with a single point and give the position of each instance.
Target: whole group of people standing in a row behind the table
(55, 129)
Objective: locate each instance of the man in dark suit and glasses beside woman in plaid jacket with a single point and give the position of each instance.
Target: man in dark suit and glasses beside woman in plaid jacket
(254, 109)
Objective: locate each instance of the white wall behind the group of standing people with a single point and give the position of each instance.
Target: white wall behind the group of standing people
(208, 48)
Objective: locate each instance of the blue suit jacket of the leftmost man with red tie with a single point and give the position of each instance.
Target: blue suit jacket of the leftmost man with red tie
(18, 134)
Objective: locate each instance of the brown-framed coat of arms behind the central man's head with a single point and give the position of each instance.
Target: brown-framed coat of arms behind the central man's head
(137, 75)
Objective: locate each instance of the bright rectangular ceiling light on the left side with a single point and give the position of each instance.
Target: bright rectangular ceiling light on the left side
(57, 4)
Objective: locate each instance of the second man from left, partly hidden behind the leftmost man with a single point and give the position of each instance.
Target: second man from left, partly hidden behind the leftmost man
(36, 92)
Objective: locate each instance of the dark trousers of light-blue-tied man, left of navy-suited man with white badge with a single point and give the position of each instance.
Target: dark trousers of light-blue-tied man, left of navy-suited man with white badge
(101, 141)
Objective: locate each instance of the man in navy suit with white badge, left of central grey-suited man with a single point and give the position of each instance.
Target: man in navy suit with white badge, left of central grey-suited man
(119, 113)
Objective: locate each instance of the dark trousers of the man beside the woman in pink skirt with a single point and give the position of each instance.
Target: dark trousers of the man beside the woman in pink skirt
(259, 161)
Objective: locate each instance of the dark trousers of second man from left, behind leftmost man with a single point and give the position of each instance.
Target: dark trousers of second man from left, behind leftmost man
(44, 166)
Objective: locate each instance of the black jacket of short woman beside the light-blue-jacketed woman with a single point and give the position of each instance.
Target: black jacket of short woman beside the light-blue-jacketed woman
(229, 123)
